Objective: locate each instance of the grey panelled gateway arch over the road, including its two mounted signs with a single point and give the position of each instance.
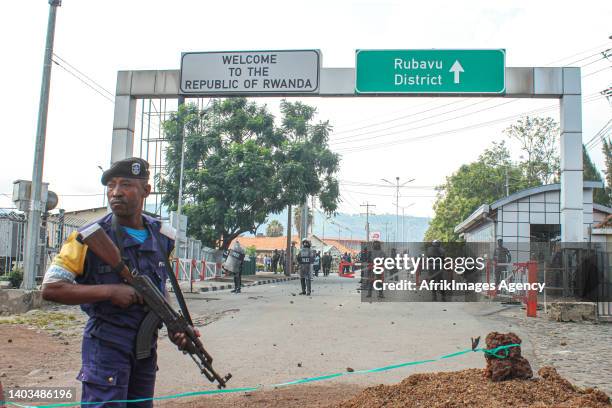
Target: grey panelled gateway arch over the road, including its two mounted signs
(469, 73)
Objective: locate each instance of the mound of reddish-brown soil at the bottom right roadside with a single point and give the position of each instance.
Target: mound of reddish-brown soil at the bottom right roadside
(470, 388)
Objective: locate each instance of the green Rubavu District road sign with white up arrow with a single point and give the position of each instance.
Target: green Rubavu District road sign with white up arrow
(431, 71)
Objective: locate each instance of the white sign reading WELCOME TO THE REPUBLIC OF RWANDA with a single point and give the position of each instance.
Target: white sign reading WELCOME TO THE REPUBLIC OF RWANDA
(250, 72)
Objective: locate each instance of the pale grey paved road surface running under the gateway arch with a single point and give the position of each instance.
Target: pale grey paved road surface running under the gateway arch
(262, 335)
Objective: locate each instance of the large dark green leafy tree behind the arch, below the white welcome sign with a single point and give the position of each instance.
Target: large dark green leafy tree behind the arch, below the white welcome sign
(240, 167)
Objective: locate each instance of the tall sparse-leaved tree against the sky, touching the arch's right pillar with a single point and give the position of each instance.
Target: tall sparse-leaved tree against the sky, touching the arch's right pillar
(538, 139)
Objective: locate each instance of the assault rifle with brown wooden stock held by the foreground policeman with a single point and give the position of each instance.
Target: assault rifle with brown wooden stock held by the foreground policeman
(160, 310)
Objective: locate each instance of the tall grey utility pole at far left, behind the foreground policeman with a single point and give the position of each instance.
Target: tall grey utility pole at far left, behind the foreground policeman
(36, 204)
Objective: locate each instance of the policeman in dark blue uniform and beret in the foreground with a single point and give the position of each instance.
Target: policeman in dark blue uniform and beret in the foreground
(110, 369)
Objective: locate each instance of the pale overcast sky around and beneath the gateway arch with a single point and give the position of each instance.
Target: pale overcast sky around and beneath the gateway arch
(372, 134)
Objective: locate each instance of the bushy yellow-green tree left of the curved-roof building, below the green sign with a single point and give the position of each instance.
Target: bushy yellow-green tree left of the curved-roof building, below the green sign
(474, 184)
